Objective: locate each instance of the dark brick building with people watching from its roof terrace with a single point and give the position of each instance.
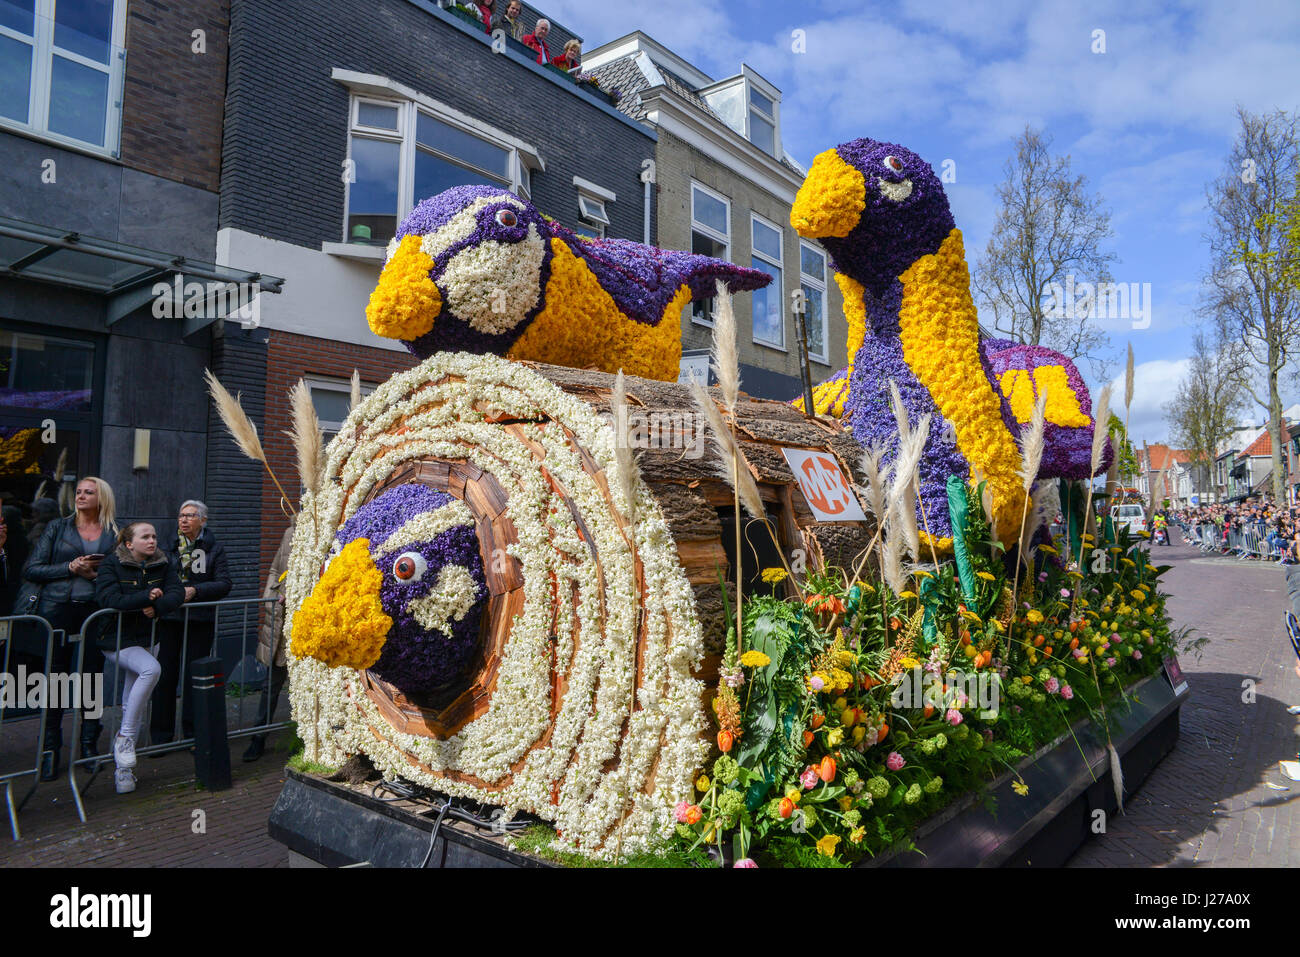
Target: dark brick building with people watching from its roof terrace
(339, 120)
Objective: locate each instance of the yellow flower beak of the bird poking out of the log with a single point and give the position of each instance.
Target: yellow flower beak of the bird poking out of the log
(343, 622)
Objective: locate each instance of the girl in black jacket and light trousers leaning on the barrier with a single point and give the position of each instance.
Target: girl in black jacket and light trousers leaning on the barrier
(137, 578)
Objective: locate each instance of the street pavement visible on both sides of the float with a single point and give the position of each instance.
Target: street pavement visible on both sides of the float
(1208, 804)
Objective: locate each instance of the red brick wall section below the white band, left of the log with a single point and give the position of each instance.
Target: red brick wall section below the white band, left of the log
(291, 358)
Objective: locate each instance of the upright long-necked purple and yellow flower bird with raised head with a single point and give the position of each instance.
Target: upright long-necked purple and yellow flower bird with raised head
(881, 213)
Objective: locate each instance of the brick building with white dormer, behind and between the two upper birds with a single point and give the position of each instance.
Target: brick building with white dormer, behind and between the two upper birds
(726, 187)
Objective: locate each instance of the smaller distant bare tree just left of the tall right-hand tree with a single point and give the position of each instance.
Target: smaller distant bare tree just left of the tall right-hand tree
(1208, 402)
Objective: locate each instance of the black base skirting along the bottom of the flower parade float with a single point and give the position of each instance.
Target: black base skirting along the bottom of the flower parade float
(335, 825)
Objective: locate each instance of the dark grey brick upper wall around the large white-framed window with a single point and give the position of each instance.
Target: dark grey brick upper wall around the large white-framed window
(285, 142)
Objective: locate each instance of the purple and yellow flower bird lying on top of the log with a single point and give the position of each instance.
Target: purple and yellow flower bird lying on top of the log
(478, 270)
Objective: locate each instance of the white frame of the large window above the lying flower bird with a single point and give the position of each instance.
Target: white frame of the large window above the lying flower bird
(409, 111)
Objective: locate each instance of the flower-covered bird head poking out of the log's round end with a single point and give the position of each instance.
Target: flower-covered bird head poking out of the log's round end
(402, 594)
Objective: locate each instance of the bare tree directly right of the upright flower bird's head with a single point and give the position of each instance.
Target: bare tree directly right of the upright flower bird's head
(1048, 235)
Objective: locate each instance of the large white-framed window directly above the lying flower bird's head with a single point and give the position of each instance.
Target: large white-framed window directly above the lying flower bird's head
(404, 153)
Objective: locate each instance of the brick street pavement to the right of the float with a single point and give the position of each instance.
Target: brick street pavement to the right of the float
(1208, 804)
